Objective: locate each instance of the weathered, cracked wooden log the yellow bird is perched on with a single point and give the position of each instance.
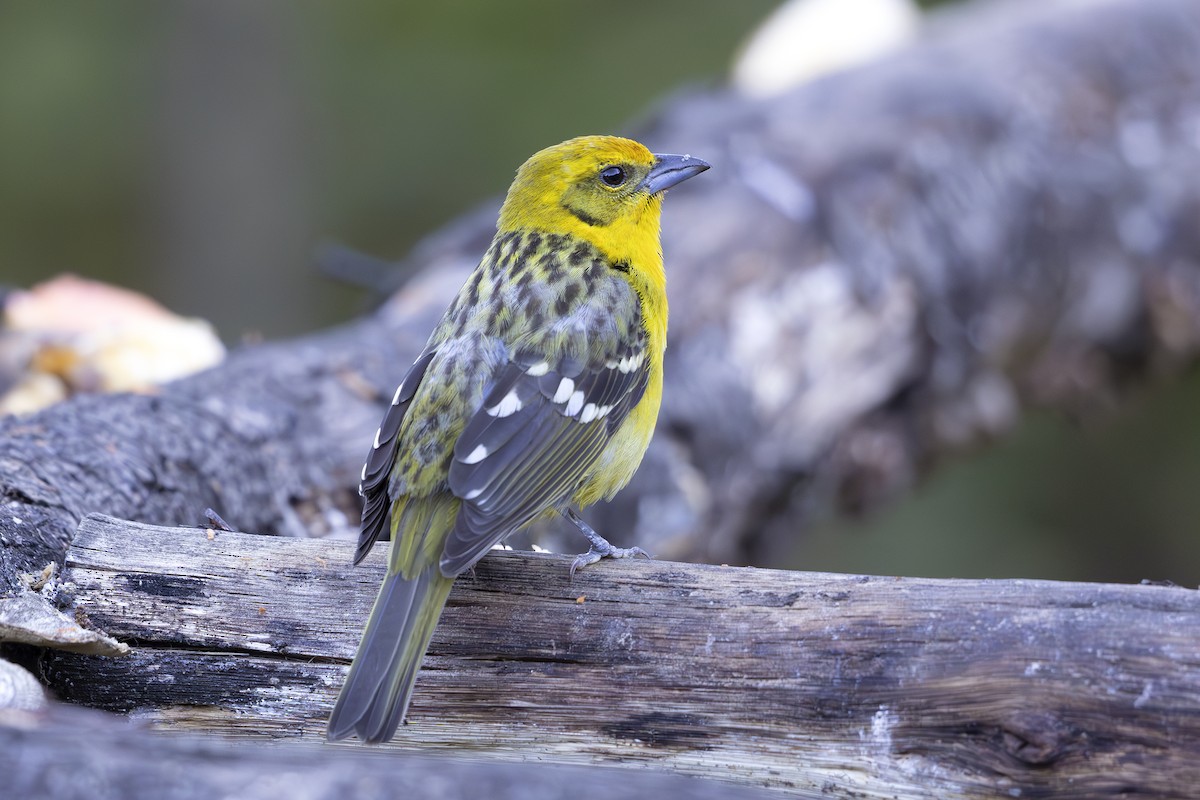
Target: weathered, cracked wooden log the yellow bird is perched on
(873, 687)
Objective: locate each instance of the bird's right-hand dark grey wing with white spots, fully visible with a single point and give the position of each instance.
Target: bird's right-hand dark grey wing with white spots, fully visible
(542, 426)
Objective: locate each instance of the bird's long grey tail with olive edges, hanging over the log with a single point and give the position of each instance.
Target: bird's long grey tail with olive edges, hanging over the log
(380, 685)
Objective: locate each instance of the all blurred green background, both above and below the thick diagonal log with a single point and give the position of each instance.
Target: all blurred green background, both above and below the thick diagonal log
(200, 151)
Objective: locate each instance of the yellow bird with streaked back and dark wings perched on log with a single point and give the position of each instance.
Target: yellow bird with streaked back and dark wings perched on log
(537, 395)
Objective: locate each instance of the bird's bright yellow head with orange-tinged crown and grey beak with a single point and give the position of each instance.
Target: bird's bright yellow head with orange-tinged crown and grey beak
(605, 190)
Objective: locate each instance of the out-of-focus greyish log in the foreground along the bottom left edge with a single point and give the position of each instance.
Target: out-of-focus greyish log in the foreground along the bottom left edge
(77, 755)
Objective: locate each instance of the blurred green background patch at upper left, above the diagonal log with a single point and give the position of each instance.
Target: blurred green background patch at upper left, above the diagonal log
(201, 149)
